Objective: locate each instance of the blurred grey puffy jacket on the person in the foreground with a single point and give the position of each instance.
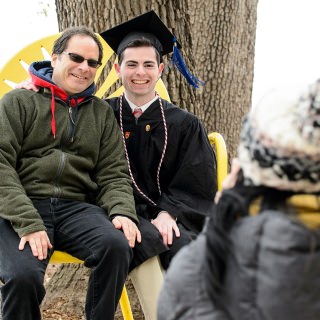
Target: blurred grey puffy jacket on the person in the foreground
(273, 272)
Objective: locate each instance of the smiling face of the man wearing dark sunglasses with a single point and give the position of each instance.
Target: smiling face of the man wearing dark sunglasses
(71, 76)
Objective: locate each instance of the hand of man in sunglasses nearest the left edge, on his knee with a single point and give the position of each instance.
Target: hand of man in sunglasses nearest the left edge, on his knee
(39, 243)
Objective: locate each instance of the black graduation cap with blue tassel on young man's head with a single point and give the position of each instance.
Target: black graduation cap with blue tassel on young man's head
(150, 26)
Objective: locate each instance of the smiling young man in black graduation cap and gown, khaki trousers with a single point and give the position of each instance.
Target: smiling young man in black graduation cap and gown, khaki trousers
(171, 162)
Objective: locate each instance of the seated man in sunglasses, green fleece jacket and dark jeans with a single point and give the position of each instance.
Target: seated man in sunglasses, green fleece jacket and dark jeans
(59, 148)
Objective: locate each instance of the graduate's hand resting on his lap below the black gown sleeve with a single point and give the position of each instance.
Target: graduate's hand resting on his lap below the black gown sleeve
(166, 224)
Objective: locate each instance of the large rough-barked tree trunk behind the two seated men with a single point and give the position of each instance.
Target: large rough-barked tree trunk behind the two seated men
(218, 38)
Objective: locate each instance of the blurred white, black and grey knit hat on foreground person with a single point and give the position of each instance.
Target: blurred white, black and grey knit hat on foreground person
(280, 141)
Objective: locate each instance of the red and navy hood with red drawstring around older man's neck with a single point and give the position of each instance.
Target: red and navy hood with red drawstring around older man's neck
(41, 75)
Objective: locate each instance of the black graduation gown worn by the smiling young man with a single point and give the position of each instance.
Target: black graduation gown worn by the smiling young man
(188, 171)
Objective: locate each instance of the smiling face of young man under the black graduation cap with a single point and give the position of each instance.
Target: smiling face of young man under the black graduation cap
(139, 72)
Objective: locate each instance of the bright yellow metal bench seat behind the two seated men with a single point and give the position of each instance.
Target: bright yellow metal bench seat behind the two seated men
(16, 71)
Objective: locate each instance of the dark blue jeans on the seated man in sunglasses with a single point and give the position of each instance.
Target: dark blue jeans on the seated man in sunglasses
(81, 229)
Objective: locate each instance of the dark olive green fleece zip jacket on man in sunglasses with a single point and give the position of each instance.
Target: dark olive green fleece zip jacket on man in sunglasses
(86, 157)
